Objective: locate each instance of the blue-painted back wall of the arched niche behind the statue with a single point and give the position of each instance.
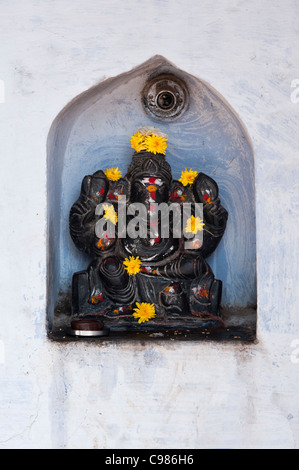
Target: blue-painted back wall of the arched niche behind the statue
(93, 132)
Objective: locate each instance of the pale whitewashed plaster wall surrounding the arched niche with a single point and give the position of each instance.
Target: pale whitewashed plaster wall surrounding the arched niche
(171, 395)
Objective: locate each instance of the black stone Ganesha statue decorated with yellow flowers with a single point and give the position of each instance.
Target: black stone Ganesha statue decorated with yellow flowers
(148, 237)
